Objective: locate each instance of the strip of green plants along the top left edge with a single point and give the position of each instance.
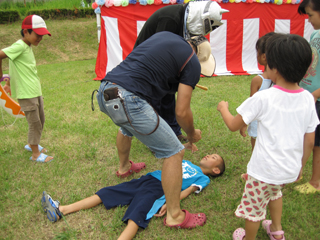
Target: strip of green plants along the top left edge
(40, 4)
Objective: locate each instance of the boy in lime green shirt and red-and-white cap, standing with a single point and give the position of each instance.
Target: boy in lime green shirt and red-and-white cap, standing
(25, 83)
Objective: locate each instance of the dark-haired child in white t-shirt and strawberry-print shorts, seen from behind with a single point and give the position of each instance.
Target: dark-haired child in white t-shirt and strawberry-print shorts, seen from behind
(286, 123)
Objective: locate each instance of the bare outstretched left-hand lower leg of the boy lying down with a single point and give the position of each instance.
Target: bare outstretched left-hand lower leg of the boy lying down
(82, 204)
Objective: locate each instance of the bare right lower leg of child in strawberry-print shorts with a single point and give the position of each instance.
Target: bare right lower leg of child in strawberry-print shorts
(275, 208)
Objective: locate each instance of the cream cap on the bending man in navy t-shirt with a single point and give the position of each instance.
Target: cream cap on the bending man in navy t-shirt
(206, 59)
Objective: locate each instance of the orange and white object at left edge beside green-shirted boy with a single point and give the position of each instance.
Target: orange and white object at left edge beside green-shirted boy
(9, 105)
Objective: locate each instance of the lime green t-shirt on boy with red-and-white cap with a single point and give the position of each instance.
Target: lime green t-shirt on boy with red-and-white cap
(24, 80)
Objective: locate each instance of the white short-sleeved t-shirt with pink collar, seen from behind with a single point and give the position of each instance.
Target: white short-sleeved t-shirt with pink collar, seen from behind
(284, 116)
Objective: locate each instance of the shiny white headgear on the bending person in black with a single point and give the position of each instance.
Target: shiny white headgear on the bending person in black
(204, 17)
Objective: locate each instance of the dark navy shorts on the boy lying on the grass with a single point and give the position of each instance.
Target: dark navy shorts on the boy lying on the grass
(139, 194)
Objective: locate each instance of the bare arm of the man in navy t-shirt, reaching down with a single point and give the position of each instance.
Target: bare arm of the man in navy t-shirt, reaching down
(184, 114)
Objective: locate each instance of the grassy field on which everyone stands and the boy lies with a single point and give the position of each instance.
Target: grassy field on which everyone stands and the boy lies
(83, 143)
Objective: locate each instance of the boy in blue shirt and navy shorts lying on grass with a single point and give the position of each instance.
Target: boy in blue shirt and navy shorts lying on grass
(144, 196)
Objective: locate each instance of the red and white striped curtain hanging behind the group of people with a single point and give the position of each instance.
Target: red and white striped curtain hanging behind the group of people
(233, 43)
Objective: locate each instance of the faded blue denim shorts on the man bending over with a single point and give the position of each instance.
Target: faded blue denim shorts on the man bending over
(163, 142)
